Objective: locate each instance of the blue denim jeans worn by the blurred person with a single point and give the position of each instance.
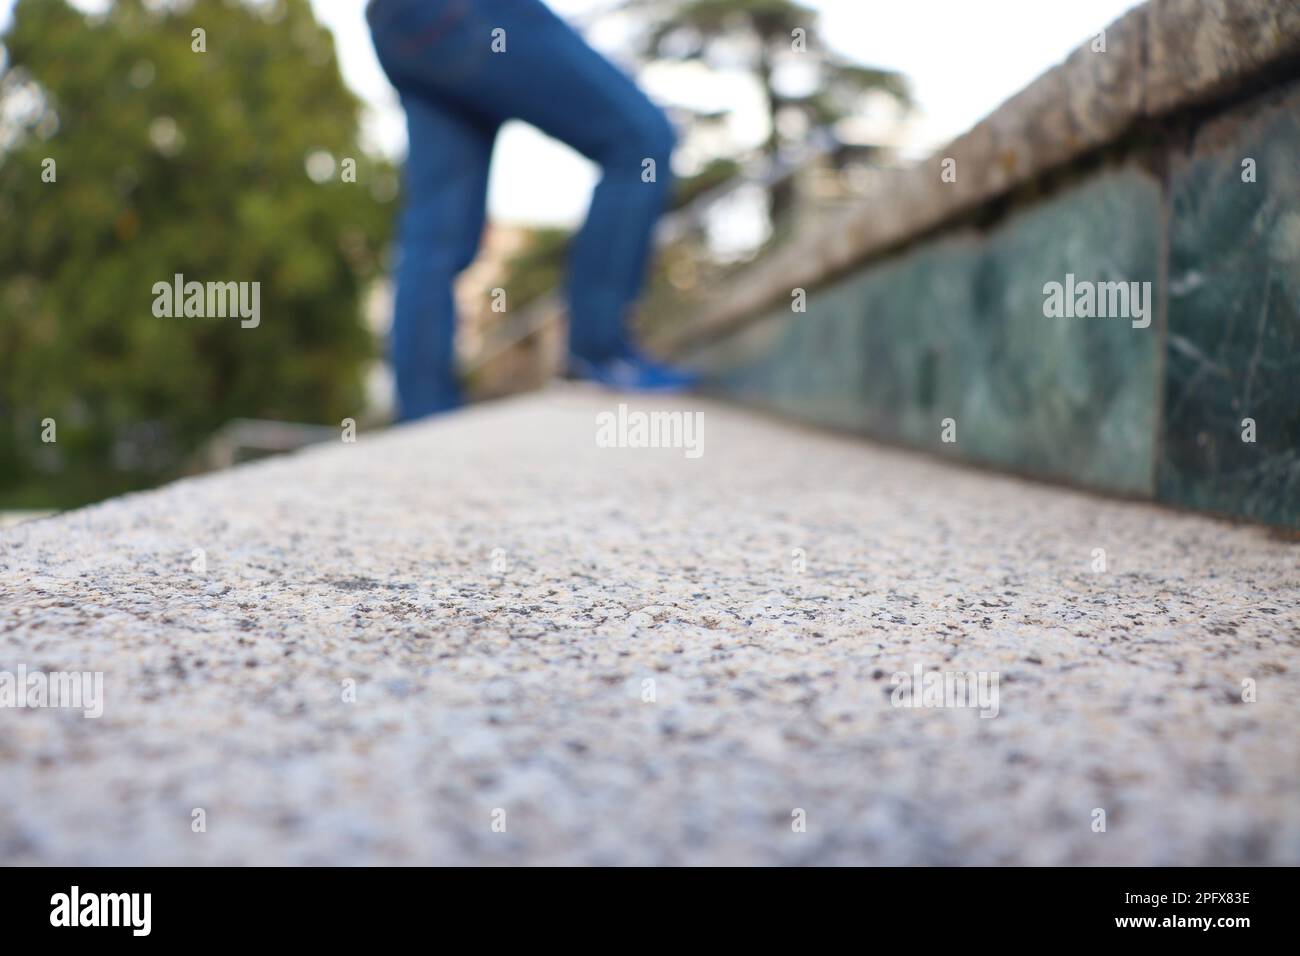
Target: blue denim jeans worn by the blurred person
(458, 92)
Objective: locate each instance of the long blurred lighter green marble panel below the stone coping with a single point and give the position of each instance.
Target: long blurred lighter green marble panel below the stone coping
(957, 330)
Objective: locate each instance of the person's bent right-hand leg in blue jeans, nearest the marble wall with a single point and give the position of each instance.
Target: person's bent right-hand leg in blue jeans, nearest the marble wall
(549, 77)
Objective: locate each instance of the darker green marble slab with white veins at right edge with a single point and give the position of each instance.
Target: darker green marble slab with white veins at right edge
(1234, 325)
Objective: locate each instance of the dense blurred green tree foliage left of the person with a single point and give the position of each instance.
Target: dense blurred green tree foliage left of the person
(174, 162)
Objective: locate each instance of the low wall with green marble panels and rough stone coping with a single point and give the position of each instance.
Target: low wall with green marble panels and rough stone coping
(1169, 159)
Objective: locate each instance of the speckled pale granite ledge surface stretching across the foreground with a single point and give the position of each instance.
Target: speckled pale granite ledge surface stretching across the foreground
(522, 690)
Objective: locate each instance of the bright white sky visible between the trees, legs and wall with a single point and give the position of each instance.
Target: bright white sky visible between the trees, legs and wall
(964, 58)
